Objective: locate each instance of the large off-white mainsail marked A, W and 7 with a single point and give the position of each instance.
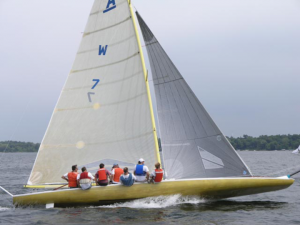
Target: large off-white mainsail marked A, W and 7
(104, 111)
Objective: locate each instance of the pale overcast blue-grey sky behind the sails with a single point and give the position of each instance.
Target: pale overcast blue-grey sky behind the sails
(241, 58)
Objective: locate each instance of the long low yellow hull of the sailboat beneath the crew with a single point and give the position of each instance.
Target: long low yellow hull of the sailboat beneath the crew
(206, 188)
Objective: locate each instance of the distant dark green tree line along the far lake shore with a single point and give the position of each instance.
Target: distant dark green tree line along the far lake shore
(263, 142)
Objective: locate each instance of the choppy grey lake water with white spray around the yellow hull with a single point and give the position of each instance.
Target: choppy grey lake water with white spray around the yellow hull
(281, 207)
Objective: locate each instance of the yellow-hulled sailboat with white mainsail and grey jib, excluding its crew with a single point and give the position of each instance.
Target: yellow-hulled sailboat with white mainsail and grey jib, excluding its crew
(105, 115)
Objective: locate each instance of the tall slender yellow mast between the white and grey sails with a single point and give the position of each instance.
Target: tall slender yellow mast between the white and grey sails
(146, 82)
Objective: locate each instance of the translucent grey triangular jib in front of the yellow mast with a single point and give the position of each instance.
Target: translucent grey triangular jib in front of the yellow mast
(192, 144)
